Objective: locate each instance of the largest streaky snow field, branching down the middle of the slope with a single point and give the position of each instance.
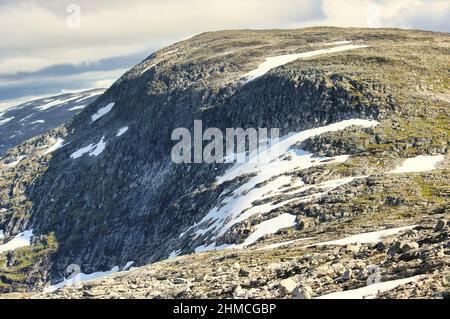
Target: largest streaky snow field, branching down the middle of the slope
(271, 167)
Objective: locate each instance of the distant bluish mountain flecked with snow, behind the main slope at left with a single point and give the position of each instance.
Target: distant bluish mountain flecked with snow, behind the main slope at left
(24, 121)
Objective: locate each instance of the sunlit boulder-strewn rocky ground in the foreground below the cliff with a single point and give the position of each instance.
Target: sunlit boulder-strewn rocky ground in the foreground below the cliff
(420, 254)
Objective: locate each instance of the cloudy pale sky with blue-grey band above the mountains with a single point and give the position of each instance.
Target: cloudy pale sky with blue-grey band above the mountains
(53, 46)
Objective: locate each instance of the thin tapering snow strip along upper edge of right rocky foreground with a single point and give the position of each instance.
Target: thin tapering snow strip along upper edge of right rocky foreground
(365, 238)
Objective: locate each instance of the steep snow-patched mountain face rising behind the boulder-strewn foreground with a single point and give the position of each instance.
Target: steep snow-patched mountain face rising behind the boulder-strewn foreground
(110, 193)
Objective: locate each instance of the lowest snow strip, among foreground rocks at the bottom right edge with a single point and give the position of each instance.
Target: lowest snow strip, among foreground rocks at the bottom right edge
(371, 291)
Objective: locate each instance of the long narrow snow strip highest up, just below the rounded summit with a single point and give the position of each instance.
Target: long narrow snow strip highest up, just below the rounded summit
(276, 61)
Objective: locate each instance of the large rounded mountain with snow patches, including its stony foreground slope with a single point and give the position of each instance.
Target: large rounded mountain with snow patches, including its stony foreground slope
(363, 158)
